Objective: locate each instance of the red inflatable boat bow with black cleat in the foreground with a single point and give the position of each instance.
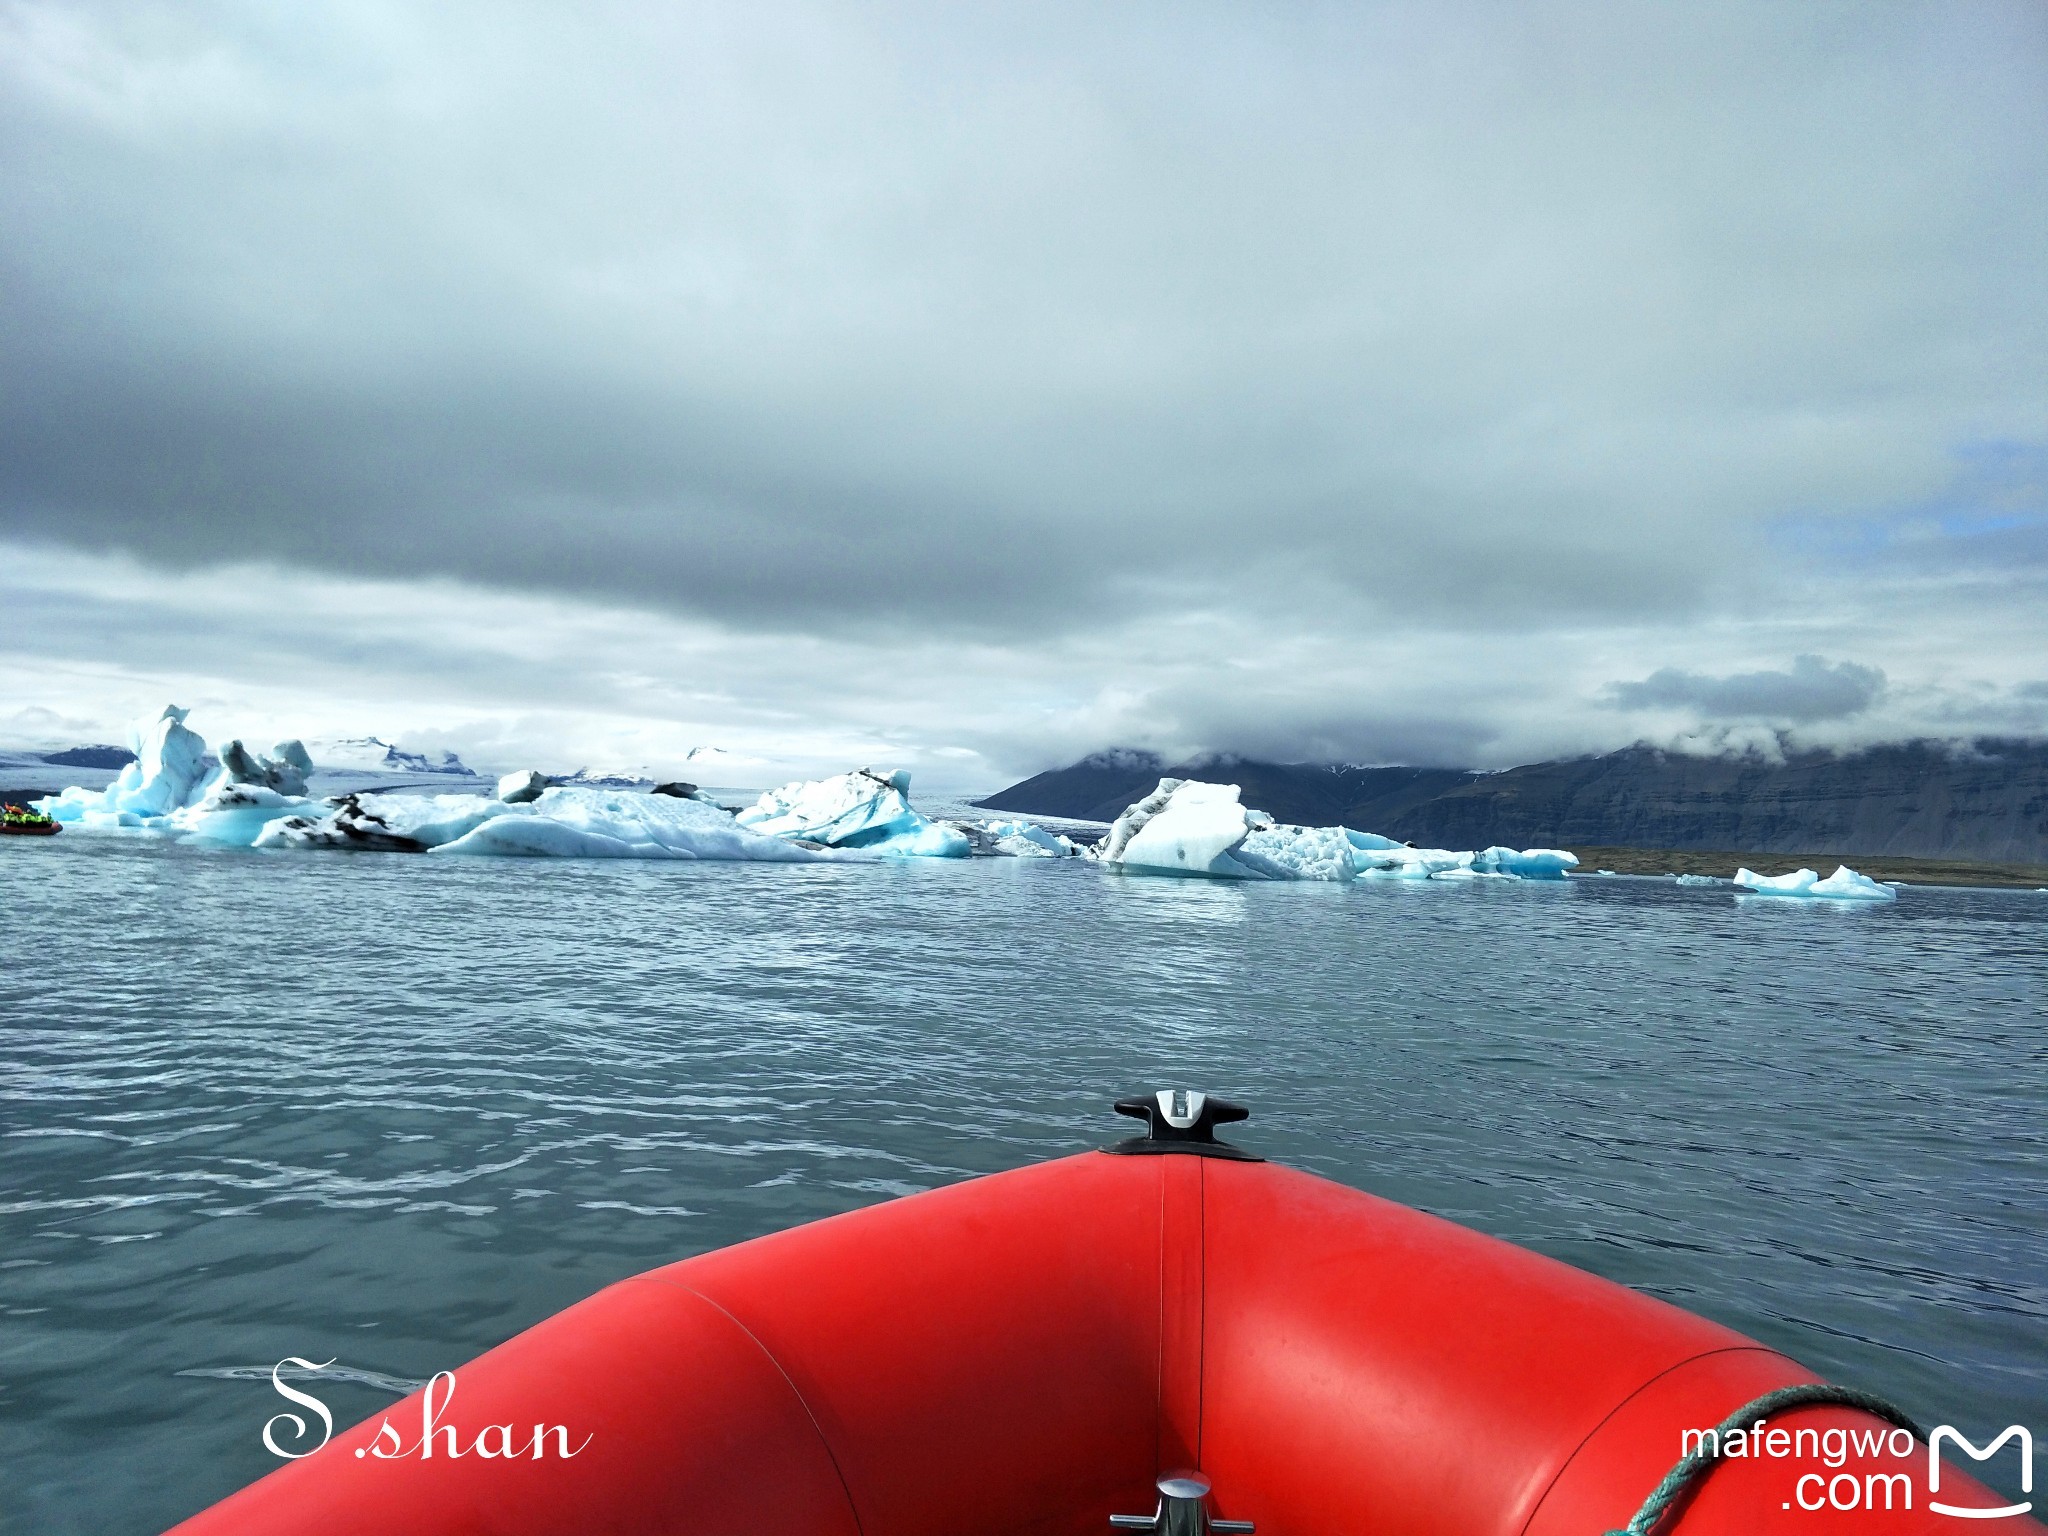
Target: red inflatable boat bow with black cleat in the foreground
(1170, 1334)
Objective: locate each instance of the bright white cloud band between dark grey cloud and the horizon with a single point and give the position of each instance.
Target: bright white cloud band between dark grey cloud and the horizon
(1297, 675)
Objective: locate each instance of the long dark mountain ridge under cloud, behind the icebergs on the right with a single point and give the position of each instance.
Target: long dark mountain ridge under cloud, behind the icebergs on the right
(1916, 800)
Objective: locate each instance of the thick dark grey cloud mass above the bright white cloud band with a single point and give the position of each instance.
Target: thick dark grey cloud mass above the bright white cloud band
(1011, 321)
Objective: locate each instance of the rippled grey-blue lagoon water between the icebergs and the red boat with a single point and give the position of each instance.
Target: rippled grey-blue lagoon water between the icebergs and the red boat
(392, 1111)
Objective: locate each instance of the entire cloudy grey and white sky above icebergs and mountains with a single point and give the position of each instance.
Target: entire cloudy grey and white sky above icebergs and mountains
(972, 388)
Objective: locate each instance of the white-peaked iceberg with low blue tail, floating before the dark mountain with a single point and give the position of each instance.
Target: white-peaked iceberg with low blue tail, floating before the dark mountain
(1189, 826)
